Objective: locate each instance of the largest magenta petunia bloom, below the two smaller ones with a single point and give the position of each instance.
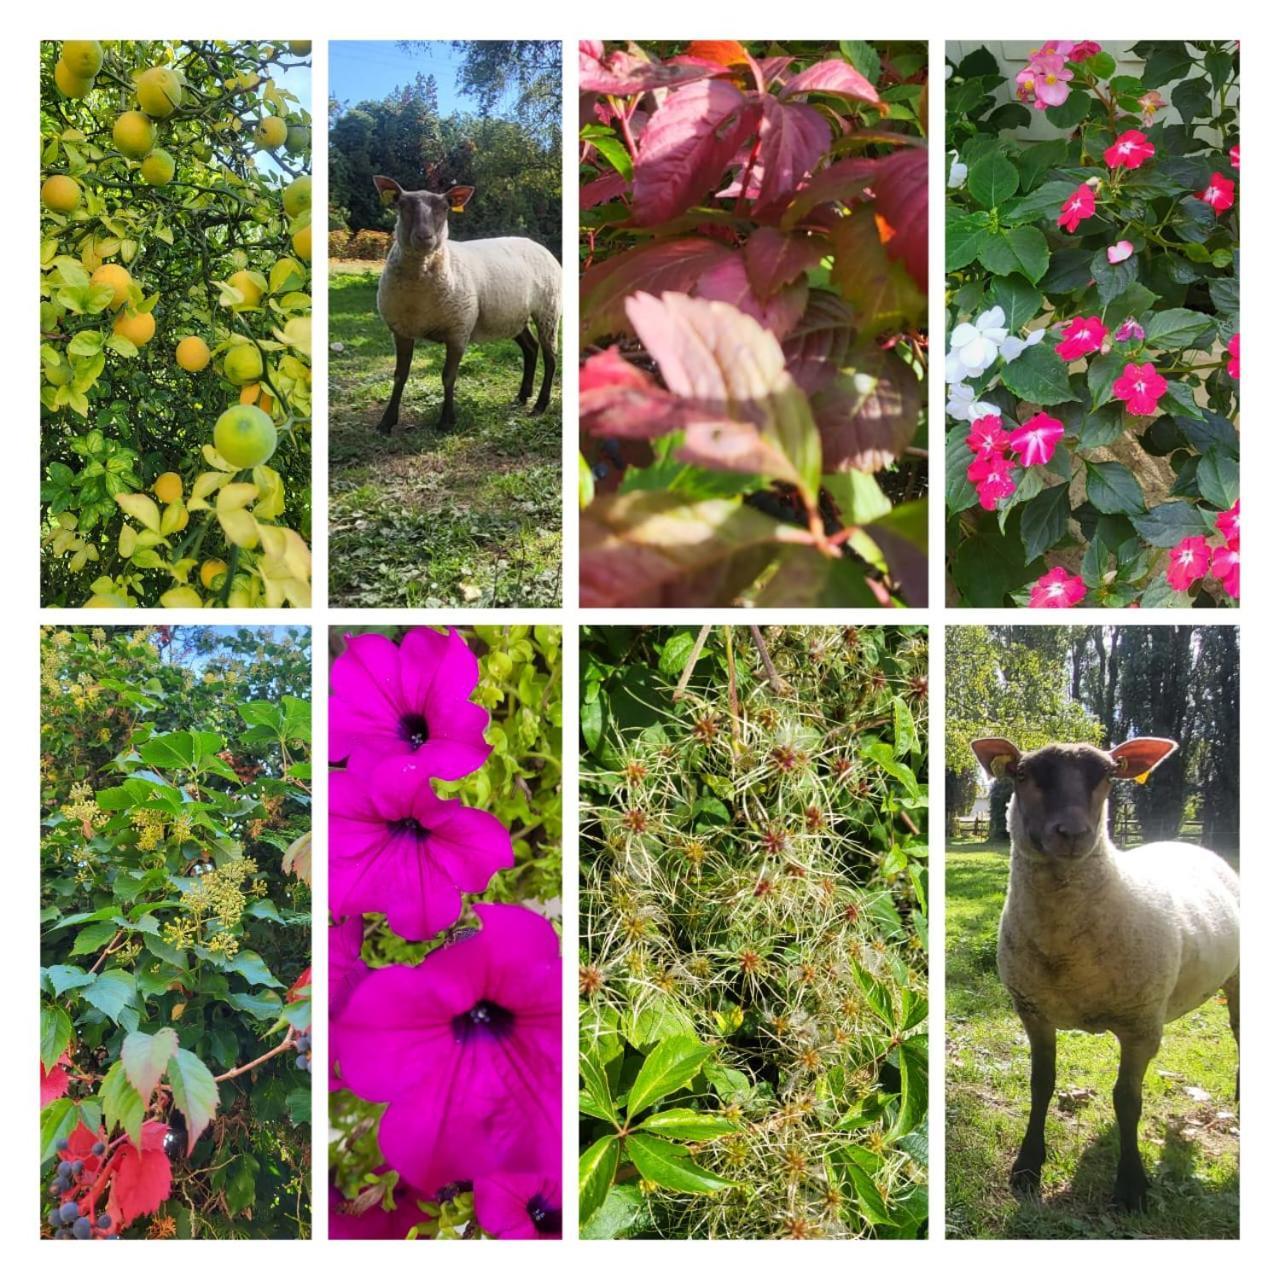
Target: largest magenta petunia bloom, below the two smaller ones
(467, 1049)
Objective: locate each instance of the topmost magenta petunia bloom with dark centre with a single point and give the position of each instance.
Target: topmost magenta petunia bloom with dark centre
(409, 700)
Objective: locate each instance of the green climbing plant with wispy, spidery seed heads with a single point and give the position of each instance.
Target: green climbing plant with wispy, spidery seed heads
(752, 961)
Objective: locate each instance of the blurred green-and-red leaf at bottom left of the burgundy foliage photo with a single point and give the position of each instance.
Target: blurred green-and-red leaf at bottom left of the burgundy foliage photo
(652, 548)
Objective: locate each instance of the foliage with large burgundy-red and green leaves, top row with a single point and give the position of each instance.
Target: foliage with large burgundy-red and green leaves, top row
(755, 245)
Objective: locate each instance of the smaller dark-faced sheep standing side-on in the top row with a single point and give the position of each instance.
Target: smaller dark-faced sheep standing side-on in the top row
(465, 292)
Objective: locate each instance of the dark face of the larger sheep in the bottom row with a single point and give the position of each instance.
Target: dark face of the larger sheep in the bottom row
(1060, 801)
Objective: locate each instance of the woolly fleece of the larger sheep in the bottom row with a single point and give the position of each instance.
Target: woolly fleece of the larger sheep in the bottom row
(1119, 940)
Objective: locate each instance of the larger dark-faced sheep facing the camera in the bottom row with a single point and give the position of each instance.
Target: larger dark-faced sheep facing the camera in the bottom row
(1098, 940)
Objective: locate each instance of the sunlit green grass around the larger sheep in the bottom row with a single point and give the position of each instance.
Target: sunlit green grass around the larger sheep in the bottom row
(1190, 1148)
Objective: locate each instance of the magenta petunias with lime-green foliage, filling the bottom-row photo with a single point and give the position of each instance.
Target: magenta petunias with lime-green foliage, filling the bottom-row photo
(445, 986)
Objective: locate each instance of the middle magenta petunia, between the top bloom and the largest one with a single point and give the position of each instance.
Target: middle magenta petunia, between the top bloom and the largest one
(395, 847)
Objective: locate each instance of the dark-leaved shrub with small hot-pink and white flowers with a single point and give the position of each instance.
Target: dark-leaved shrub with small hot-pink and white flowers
(1094, 330)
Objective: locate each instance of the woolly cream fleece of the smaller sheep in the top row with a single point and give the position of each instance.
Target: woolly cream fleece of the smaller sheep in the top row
(473, 291)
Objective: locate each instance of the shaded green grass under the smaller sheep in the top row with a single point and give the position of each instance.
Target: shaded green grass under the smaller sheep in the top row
(426, 520)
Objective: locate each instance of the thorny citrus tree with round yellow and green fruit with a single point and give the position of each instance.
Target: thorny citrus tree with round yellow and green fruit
(176, 295)
